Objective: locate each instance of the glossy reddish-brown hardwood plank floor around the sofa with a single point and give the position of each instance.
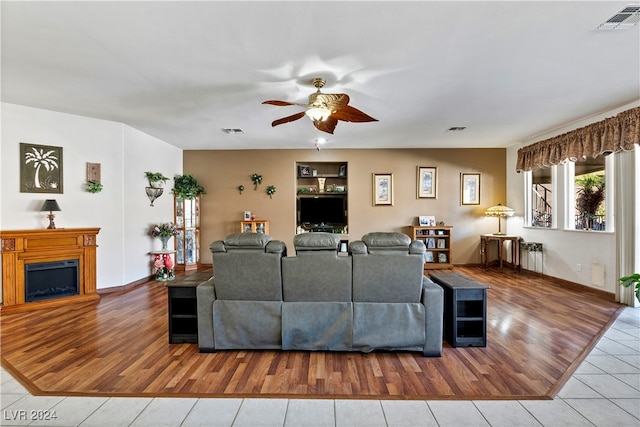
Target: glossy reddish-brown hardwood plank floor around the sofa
(538, 332)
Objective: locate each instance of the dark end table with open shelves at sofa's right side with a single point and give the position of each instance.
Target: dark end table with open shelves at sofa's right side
(465, 310)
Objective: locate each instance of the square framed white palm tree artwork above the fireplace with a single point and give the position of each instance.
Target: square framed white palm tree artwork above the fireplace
(40, 168)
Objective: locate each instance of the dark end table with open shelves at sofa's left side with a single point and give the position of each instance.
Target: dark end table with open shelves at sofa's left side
(183, 307)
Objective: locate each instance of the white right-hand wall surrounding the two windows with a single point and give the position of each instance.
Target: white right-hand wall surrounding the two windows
(563, 249)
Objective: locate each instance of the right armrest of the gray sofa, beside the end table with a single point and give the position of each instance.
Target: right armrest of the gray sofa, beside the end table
(433, 301)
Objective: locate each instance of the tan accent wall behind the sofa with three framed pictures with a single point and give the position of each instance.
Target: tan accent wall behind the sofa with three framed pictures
(221, 172)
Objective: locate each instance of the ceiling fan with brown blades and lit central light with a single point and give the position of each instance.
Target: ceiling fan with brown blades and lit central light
(324, 109)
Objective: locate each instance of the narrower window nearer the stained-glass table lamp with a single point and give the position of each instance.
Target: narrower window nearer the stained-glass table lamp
(539, 188)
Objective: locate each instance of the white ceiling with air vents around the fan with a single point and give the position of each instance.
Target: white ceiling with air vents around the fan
(182, 71)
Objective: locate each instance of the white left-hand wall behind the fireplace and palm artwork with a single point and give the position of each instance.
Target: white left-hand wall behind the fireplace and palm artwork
(121, 210)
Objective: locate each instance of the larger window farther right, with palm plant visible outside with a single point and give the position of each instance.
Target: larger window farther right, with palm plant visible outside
(591, 208)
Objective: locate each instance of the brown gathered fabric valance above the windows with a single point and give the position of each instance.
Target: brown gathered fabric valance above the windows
(608, 136)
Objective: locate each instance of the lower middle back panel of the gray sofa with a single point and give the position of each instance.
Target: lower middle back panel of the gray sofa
(317, 326)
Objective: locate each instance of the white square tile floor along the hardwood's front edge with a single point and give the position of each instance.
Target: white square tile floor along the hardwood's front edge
(604, 391)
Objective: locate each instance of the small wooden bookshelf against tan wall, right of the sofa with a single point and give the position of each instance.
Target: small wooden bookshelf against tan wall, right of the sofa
(437, 239)
